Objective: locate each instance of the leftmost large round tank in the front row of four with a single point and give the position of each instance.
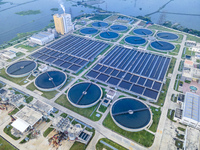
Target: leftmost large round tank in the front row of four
(21, 68)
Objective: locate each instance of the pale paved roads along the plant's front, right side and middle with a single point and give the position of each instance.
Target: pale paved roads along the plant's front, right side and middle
(101, 130)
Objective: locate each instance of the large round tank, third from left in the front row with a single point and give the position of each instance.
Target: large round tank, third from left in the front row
(84, 94)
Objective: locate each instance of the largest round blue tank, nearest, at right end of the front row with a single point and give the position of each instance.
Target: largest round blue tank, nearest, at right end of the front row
(131, 114)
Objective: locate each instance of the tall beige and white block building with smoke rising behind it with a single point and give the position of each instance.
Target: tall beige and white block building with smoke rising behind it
(63, 23)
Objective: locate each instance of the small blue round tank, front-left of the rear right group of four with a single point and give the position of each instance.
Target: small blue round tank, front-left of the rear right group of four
(135, 40)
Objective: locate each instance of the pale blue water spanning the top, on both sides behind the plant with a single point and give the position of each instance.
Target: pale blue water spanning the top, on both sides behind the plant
(11, 23)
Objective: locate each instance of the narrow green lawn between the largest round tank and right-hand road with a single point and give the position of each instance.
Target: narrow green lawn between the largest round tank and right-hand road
(156, 118)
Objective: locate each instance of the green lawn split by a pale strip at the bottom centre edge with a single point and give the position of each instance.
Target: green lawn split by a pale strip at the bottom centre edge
(100, 146)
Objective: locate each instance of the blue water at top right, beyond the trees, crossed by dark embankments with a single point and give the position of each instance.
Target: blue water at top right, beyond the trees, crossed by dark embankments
(144, 7)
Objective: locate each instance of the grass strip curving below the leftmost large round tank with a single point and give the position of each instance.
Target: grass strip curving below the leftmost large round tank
(19, 81)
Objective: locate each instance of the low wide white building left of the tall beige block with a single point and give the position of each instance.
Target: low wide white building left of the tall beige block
(42, 38)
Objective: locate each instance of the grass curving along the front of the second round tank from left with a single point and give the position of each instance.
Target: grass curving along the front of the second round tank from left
(47, 94)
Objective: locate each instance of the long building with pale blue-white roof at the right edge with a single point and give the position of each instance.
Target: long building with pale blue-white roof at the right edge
(191, 110)
